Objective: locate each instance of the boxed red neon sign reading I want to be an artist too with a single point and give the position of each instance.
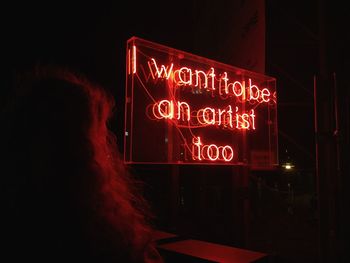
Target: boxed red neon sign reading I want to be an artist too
(185, 109)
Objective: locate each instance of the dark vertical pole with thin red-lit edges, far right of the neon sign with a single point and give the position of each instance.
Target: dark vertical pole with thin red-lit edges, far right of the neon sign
(325, 154)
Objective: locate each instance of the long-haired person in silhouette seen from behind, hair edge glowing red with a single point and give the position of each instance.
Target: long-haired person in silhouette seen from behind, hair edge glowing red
(67, 191)
